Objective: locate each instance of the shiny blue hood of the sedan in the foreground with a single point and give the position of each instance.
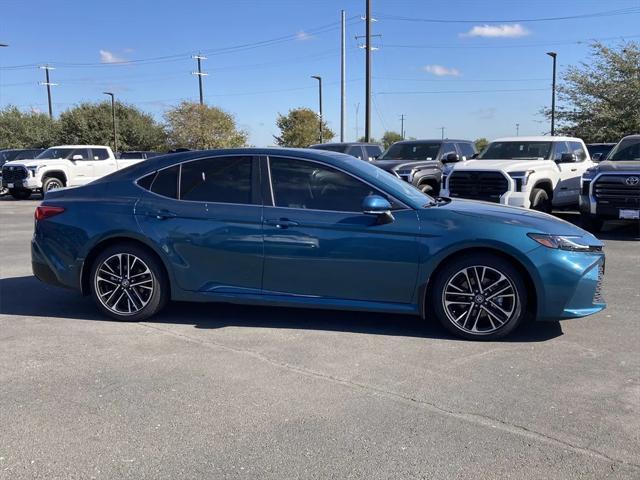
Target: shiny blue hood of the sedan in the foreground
(485, 213)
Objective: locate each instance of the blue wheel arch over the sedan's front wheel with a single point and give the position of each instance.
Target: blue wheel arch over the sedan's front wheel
(505, 253)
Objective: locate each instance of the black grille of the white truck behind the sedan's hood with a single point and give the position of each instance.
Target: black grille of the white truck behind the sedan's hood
(488, 186)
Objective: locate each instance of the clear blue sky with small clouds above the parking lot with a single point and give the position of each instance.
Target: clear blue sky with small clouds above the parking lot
(478, 78)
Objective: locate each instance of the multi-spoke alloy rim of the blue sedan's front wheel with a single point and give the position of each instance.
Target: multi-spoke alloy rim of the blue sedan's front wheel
(480, 300)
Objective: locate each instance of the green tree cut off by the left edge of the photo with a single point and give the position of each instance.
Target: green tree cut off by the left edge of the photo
(26, 130)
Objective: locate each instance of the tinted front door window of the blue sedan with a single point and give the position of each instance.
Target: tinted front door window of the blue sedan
(310, 185)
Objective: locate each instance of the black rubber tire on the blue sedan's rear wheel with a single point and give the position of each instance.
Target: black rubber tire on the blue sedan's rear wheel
(157, 276)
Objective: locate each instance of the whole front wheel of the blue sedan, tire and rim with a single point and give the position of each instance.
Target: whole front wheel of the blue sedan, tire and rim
(479, 297)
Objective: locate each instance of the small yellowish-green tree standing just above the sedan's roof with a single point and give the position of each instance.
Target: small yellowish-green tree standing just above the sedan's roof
(300, 128)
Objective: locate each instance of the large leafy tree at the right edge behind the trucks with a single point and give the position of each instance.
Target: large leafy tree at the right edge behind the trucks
(599, 99)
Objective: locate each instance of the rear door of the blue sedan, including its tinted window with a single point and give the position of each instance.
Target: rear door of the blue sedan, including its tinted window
(206, 214)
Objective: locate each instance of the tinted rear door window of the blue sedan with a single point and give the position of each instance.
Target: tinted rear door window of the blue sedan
(219, 179)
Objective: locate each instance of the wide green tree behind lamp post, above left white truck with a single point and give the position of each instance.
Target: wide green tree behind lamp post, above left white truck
(91, 123)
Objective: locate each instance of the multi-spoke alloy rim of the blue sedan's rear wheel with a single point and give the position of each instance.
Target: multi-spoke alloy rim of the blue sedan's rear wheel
(124, 284)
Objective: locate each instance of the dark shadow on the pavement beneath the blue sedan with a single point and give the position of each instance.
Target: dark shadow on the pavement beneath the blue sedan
(46, 301)
